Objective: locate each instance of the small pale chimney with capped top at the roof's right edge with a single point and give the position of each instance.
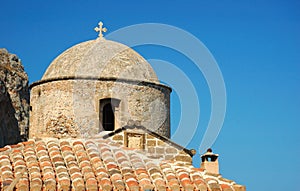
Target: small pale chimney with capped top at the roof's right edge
(210, 162)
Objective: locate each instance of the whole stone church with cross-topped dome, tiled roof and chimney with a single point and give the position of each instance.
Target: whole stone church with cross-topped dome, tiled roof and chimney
(100, 121)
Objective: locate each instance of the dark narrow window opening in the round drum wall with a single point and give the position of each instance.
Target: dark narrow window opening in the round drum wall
(108, 120)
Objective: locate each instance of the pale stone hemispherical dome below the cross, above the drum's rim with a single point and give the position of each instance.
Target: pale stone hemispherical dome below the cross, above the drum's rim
(101, 58)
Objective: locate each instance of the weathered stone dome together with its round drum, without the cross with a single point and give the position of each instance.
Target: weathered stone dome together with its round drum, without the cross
(80, 78)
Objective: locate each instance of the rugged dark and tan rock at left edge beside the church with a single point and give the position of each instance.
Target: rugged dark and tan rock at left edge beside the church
(14, 100)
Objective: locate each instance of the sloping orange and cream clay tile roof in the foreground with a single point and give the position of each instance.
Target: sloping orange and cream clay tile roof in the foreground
(94, 165)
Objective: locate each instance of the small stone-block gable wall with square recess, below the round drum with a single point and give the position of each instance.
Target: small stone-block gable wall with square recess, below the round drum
(156, 147)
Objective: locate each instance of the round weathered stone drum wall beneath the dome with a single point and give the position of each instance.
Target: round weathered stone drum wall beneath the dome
(78, 101)
